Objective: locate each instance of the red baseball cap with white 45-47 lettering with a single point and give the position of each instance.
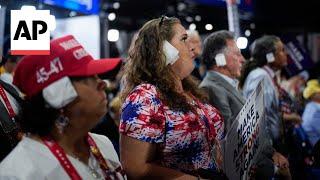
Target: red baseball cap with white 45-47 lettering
(67, 58)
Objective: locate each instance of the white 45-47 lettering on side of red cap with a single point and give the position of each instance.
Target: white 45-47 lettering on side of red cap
(55, 67)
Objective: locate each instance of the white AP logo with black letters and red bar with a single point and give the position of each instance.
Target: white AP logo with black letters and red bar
(30, 31)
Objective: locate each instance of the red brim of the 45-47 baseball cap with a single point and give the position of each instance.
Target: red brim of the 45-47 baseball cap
(97, 67)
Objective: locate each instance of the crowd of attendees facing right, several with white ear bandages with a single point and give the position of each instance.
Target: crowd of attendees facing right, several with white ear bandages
(173, 100)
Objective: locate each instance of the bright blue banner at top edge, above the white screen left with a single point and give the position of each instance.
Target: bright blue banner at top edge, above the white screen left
(83, 6)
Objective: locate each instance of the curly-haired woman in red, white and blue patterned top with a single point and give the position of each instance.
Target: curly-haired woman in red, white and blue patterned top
(167, 131)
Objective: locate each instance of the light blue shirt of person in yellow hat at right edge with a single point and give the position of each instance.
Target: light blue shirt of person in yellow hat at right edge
(311, 121)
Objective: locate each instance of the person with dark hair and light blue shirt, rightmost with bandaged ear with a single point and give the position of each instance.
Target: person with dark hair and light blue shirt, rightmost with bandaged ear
(268, 58)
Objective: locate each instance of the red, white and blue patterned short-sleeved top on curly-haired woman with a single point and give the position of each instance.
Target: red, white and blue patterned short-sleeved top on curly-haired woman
(185, 139)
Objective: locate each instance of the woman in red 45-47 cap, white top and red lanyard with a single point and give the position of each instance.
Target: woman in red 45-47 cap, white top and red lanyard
(64, 100)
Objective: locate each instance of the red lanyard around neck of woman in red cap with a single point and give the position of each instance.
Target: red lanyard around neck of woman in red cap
(59, 153)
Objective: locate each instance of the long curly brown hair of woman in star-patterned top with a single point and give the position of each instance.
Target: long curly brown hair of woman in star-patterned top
(146, 64)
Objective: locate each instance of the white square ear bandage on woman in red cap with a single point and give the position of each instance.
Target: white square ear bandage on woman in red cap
(60, 93)
